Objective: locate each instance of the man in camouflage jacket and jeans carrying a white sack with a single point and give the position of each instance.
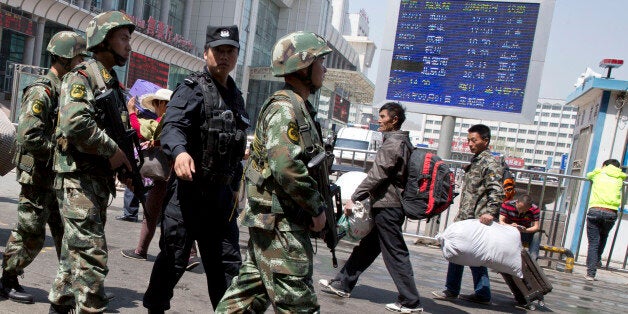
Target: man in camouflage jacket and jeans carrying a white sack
(481, 198)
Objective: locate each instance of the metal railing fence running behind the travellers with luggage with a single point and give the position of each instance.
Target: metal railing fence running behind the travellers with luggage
(556, 194)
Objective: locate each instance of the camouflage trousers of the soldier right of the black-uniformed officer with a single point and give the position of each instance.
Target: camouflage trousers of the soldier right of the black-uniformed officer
(278, 270)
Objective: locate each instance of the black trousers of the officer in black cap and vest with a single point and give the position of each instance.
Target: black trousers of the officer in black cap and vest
(203, 213)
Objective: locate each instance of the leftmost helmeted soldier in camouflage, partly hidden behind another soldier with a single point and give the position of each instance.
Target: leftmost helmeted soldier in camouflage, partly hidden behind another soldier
(38, 201)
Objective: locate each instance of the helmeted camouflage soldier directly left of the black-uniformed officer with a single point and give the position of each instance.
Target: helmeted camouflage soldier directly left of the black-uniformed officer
(85, 159)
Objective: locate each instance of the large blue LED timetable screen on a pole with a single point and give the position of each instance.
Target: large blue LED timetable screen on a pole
(467, 54)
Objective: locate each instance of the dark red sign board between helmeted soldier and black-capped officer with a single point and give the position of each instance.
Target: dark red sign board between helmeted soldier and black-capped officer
(147, 68)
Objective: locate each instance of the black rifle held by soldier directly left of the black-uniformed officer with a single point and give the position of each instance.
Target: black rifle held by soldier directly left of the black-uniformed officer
(127, 141)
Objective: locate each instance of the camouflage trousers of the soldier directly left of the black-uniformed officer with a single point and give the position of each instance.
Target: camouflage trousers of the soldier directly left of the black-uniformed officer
(83, 266)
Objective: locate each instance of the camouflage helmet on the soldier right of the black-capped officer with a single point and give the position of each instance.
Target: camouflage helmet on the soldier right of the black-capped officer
(297, 51)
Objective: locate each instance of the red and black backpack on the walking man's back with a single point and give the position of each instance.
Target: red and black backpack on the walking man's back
(430, 187)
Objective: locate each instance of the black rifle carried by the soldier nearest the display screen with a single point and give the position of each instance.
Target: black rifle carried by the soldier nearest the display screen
(319, 168)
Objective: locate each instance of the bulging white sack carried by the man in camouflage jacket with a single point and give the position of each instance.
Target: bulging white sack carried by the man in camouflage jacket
(472, 243)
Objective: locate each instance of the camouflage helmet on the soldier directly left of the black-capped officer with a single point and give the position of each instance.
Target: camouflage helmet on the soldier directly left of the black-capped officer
(103, 23)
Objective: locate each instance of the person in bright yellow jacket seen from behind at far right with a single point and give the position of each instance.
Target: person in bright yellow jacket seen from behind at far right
(605, 199)
